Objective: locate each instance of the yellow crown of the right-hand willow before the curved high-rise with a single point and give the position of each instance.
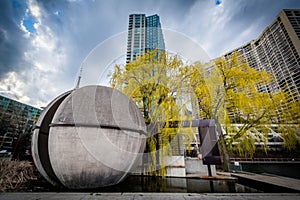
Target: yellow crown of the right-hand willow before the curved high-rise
(240, 97)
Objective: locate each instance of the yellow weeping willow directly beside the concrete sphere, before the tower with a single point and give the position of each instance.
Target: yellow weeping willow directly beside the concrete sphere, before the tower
(156, 82)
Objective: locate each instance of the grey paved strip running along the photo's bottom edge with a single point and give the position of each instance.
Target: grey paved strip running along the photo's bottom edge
(162, 196)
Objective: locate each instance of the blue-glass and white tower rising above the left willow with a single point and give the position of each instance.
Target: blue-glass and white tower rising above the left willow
(144, 34)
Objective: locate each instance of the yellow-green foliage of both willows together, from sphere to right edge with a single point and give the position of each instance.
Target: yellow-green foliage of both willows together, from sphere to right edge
(230, 91)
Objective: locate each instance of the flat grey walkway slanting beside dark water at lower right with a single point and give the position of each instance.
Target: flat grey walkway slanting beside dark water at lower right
(285, 182)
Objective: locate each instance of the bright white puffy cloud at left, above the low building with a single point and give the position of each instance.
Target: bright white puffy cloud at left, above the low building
(40, 75)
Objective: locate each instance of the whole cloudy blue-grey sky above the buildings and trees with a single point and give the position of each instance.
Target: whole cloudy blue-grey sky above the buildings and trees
(44, 44)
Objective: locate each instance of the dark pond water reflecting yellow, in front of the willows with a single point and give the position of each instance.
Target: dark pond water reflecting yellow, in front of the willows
(179, 185)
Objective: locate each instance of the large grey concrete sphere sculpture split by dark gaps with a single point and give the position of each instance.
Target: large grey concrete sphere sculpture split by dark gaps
(89, 137)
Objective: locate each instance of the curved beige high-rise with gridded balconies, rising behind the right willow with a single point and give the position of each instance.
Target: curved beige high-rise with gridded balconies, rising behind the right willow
(277, 50)
